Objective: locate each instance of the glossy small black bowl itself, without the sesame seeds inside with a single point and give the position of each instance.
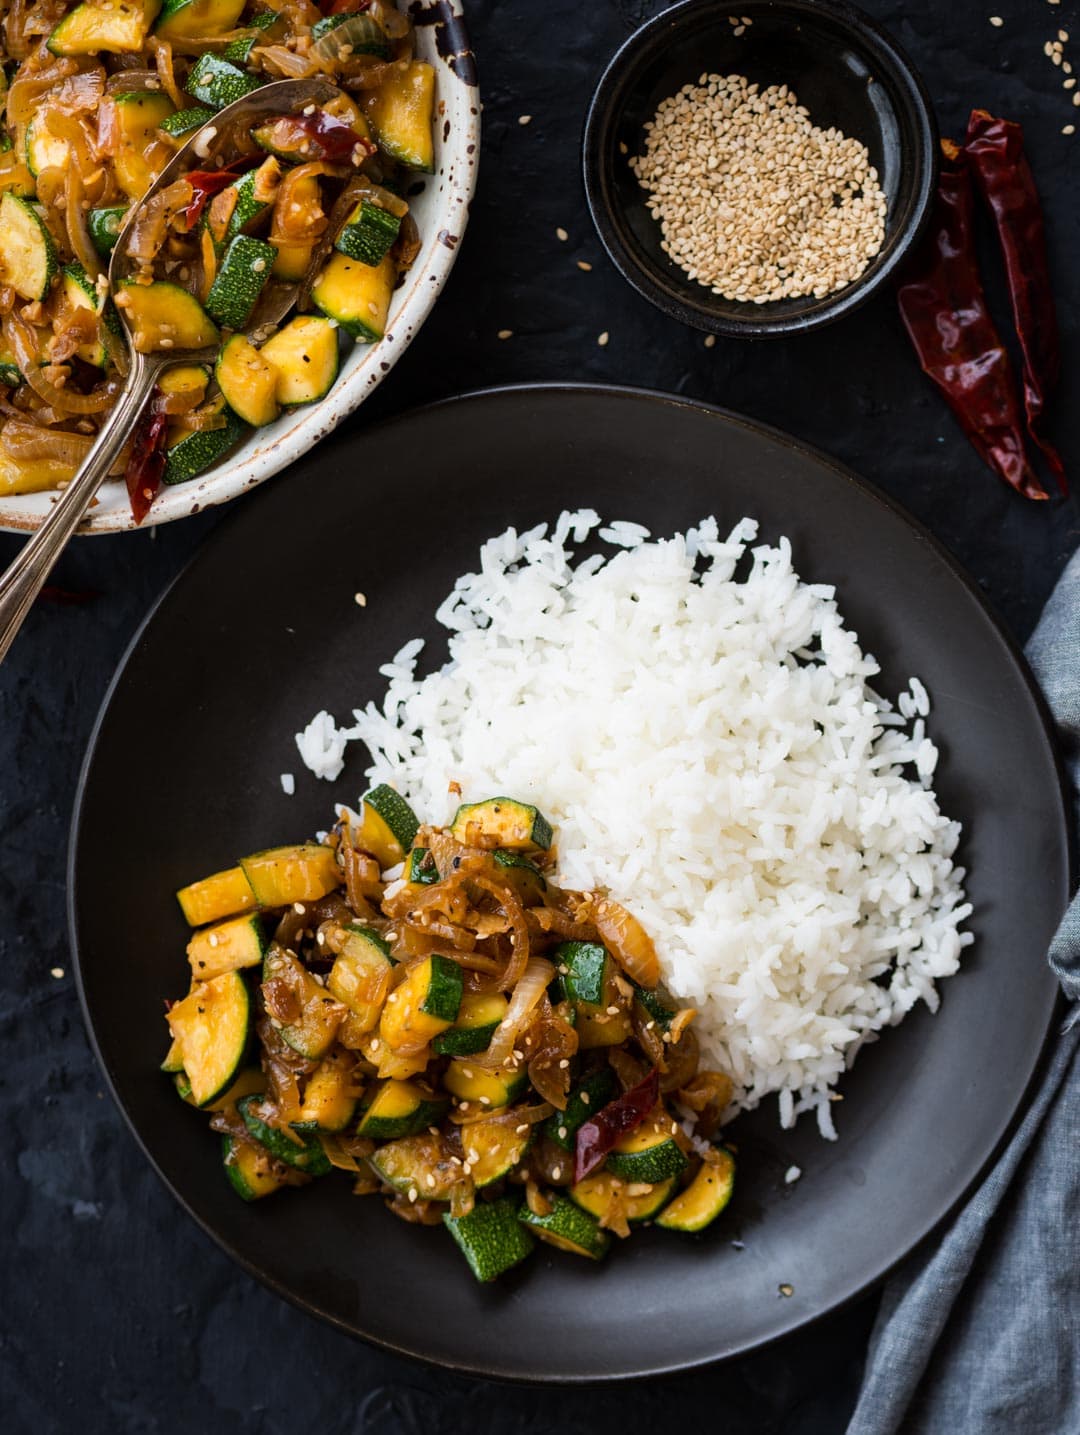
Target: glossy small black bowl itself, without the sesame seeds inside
(844, 68)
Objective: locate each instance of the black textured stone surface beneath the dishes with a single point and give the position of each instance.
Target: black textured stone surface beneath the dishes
(117, 1314)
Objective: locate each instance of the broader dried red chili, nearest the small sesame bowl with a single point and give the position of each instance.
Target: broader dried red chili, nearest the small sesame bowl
(944, 311)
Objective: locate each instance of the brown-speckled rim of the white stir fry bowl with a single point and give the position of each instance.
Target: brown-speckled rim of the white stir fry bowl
(442, 212)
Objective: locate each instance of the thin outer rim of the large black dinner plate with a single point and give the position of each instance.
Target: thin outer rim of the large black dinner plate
(1013, 651)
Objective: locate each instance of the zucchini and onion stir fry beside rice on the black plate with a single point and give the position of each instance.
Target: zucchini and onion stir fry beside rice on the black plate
(425, 1010)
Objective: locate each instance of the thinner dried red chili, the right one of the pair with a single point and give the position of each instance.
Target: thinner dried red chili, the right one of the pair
(996, 151)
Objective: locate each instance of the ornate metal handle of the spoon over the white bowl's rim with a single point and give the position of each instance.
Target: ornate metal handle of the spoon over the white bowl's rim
(25, 578)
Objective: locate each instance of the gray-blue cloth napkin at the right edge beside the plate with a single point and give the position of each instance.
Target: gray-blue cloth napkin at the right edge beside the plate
(979, 1332)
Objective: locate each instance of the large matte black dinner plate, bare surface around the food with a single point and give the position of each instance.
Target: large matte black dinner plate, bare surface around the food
(262, 631)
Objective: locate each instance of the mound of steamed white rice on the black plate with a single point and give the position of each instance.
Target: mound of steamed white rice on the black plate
(699, 724)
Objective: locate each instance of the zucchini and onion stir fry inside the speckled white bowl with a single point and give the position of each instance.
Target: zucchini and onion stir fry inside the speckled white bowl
(97, 98)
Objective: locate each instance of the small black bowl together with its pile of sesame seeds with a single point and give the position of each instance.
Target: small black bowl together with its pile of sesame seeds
(759, 169)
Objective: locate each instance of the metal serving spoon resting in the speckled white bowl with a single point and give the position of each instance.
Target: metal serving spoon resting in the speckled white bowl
(25, 578)
